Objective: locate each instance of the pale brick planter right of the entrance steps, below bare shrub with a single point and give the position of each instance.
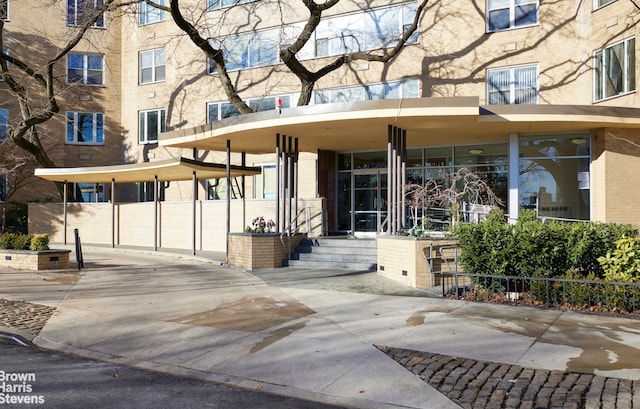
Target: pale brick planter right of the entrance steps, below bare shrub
(412, 261)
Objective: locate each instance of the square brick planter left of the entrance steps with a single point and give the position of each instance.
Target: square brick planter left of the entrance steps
(256, 251)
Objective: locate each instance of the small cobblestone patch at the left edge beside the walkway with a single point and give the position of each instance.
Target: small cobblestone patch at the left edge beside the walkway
(24, 315)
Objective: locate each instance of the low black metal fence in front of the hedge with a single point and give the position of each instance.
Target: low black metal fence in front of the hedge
(581, 294)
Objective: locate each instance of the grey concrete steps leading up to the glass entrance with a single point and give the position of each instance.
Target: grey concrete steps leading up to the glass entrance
(344, 253)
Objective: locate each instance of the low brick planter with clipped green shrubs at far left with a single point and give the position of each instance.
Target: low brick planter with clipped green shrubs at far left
(31, 252)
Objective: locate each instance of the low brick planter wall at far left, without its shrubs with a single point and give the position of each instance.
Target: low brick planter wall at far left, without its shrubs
(35, 260)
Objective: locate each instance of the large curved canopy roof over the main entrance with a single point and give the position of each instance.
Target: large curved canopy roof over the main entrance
(363, 125)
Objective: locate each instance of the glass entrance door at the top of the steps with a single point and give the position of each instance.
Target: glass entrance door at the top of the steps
(369, 202)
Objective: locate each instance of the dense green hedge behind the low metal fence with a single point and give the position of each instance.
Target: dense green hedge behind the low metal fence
(530, 248)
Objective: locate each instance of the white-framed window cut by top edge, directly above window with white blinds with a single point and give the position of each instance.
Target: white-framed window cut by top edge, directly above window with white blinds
(506, 14)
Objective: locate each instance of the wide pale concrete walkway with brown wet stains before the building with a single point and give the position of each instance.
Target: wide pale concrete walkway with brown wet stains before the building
(310, 334)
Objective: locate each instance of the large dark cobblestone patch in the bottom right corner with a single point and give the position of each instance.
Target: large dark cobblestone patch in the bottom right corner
(478, 385)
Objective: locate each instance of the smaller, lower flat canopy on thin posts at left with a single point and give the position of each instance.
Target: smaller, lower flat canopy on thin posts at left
(165, 170)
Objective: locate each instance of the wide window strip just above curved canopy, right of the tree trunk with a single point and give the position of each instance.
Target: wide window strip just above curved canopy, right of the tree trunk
(387, 90)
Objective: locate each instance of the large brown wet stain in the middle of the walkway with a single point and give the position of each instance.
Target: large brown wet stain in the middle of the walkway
(250, 314)
